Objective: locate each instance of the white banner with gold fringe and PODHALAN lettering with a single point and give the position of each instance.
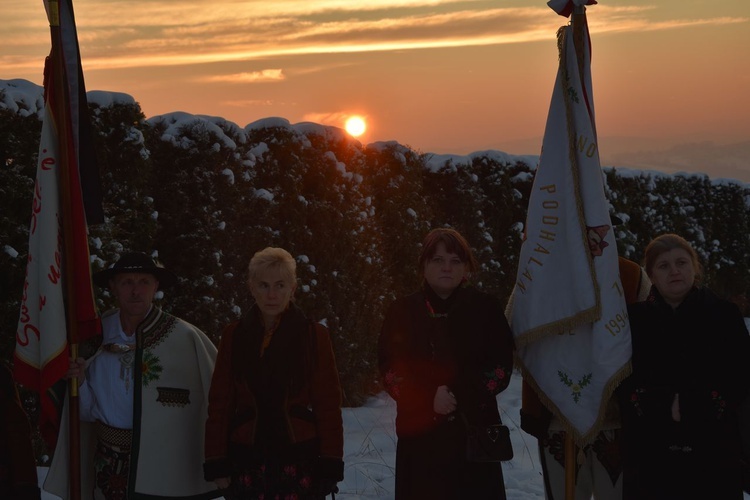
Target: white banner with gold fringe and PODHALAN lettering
(568, 311)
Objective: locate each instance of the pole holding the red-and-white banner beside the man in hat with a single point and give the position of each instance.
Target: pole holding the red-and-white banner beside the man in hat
(65, 165)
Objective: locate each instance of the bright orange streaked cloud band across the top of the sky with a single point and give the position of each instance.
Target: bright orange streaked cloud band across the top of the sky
(172, 33)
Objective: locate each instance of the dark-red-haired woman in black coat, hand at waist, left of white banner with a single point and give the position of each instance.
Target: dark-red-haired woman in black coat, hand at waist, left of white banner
(445, 352)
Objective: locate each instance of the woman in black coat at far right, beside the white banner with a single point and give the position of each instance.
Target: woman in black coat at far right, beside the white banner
(691, 354)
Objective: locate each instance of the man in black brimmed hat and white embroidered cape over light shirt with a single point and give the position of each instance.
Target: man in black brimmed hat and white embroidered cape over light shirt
(142, 396)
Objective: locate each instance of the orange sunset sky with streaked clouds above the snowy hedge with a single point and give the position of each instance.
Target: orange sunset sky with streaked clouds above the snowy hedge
(442, 76)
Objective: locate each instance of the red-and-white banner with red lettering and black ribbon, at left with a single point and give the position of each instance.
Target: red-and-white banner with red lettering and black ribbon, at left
(58, 301)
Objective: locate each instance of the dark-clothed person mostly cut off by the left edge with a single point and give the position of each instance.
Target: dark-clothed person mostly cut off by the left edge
(18, 479)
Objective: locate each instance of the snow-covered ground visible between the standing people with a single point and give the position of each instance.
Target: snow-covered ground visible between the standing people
(370, 451)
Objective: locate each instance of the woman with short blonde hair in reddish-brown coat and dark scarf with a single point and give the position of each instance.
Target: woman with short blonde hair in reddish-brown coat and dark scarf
(274, 426)
